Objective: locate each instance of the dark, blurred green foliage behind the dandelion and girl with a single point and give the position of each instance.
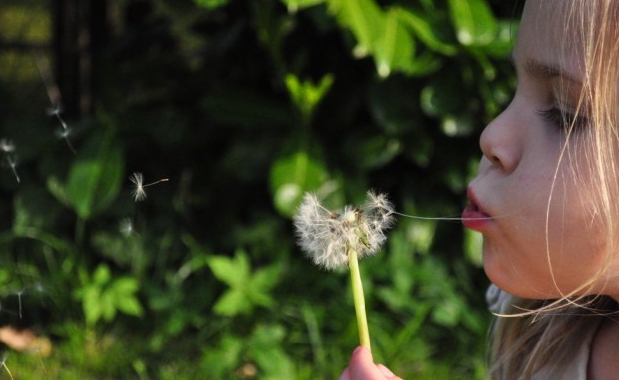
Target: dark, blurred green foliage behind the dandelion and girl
(244, 105)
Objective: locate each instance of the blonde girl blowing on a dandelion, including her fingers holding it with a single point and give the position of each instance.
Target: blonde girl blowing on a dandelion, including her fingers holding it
(546, 200)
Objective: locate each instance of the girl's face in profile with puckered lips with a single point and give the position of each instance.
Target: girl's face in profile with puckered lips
(530, 199)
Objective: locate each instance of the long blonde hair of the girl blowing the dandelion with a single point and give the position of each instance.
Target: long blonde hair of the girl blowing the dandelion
(549, 333)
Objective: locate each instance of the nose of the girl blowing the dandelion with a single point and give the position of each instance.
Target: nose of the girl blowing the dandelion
(499, 141)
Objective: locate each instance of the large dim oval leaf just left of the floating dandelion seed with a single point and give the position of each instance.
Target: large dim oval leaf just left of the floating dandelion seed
(96, 176)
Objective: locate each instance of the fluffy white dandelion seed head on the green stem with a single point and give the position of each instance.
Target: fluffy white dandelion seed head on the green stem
(326, 236)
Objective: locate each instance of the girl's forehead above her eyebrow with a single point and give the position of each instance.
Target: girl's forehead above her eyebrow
(549, 35)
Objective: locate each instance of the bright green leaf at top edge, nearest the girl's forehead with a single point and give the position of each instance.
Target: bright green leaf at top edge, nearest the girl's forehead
(474, 22)
